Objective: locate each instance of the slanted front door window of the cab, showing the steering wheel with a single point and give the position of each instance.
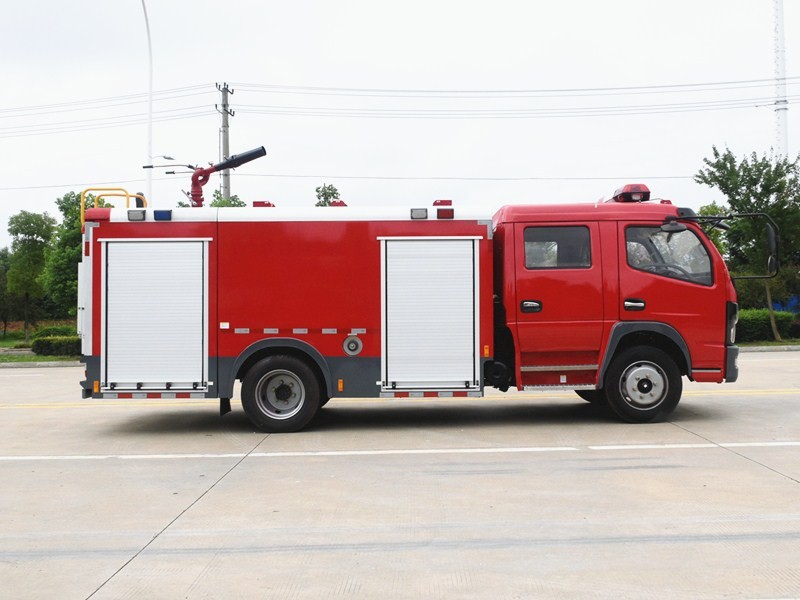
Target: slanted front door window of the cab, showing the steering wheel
(679, 255)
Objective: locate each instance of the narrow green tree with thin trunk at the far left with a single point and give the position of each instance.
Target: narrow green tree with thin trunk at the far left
(30, 233)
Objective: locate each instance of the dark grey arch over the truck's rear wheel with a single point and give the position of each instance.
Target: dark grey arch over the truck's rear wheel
(270, 347)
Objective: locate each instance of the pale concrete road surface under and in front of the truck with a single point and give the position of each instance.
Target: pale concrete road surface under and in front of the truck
(513, 496)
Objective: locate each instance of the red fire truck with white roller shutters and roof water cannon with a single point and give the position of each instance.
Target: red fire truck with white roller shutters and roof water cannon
(617, 300)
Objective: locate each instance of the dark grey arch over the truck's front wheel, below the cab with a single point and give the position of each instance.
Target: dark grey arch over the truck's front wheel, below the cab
(646, 333)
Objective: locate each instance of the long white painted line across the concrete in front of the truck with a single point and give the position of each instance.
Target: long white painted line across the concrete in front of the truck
(401, 452)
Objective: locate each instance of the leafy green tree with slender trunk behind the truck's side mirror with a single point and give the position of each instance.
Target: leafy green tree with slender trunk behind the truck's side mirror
(757, 184)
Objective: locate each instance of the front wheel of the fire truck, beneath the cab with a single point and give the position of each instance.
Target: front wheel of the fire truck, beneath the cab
(643, 384)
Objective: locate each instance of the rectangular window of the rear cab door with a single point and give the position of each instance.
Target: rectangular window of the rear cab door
(558, 247)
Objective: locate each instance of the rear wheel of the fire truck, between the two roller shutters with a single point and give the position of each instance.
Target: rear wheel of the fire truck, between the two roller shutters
(280, 394)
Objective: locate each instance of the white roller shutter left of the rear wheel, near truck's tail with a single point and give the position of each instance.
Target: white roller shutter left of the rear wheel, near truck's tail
(155, 321)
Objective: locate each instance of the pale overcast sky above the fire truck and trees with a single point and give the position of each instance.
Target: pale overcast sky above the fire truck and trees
(394, 103)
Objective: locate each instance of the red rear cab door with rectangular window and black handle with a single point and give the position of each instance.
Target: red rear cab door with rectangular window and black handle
(559, 303)
